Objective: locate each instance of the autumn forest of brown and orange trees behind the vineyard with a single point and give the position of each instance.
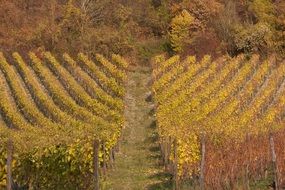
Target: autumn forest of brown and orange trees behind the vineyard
(144, 28)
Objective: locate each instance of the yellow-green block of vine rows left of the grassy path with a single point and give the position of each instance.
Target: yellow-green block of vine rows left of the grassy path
(60, 119)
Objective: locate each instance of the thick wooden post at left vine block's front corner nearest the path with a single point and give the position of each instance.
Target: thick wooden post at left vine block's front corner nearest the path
(96, 148)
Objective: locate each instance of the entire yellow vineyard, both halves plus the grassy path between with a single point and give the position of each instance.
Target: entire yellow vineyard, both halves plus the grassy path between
(220, 123)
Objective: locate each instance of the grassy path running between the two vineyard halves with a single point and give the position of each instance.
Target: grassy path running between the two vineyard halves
(138, 162)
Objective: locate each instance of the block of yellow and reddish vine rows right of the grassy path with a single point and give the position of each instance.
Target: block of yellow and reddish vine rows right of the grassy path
(221, 121)
